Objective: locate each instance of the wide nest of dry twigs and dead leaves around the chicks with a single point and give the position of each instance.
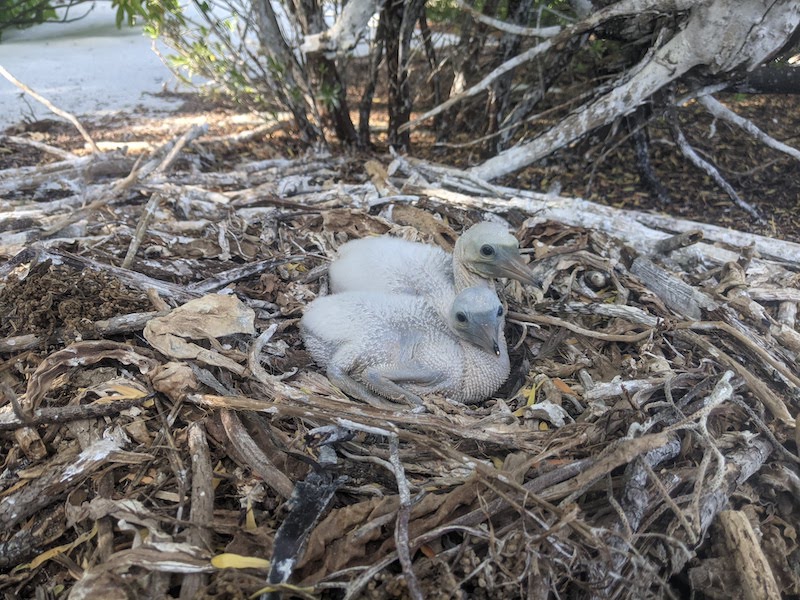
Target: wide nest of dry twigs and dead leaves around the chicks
(165, 434)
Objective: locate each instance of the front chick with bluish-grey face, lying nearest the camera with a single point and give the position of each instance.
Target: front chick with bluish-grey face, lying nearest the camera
(378, 346)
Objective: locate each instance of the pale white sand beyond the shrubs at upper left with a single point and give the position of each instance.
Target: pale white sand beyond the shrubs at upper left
(88, 67)
